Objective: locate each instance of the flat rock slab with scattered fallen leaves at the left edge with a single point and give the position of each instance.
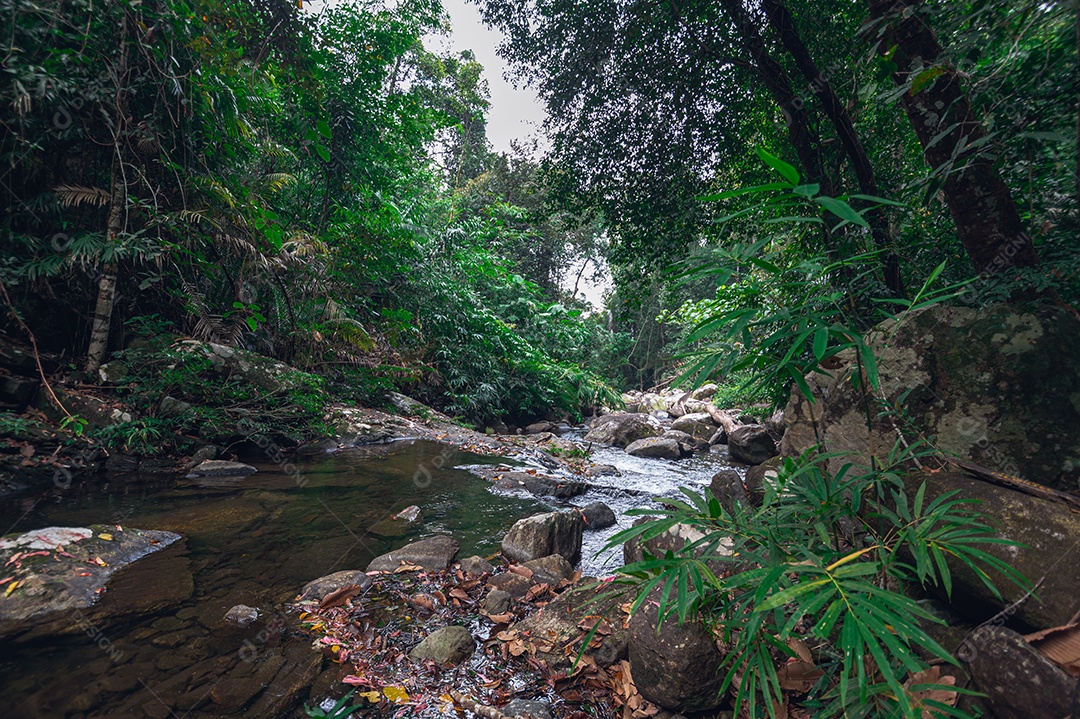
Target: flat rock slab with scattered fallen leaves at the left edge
(52, 577)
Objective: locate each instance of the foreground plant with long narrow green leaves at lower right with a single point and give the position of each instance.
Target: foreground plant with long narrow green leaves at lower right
(826, 559)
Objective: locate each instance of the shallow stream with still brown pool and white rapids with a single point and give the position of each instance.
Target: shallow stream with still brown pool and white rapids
(256, 541)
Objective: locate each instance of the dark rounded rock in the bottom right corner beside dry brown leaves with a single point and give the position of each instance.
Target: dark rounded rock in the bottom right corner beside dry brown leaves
(1019, 682)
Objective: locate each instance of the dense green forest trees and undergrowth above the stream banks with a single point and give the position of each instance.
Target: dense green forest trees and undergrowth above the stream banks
(317, 186)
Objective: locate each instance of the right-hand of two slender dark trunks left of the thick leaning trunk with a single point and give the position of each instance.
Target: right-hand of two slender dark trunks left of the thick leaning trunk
(781, 21)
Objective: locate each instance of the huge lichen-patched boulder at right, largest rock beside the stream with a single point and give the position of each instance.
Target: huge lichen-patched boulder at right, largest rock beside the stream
(998, 387)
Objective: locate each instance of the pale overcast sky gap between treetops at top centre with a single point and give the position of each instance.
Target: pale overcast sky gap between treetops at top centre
(517, 114)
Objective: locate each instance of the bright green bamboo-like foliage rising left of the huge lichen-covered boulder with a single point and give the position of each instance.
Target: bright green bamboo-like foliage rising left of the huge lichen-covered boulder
(780, 315)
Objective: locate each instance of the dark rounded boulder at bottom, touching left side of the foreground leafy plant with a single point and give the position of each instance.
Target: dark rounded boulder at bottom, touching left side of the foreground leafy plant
(678, 668)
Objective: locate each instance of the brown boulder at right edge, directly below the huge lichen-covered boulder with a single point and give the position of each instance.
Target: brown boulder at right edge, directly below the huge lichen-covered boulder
(1047, 535)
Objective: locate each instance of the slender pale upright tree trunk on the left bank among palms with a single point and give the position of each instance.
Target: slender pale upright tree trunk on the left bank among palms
(118, 204)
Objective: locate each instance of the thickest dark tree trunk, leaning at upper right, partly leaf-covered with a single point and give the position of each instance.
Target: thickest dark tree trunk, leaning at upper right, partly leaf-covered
(981, 205)
